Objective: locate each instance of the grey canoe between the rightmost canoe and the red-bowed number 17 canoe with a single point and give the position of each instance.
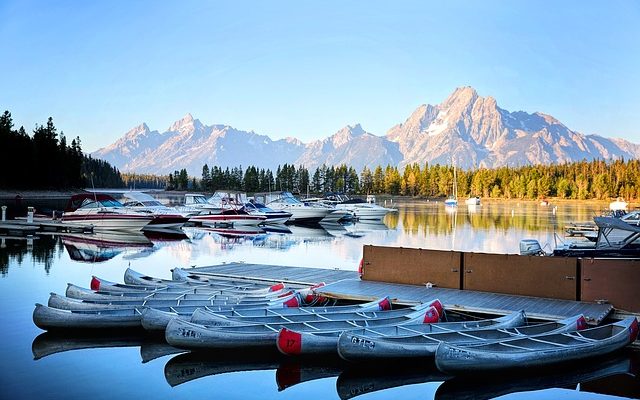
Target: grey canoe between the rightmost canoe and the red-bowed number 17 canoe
(353, 347)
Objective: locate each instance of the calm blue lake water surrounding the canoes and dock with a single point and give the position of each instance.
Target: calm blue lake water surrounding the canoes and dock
(37, 365)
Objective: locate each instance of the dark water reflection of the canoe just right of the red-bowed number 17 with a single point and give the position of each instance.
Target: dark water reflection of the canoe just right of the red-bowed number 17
(362, 380)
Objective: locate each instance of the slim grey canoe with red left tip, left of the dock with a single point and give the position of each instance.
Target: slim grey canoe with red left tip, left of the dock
(103, 285)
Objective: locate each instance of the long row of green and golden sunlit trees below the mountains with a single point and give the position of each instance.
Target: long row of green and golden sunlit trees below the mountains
(578, 180)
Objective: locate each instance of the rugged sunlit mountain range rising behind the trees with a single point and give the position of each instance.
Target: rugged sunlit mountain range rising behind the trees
(465, 129)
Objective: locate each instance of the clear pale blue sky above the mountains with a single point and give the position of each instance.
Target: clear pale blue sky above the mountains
(306, 69)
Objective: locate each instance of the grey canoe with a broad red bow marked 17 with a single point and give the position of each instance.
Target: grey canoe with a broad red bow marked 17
(293, 342)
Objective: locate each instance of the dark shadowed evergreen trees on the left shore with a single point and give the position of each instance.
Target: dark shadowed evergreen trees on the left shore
(46, 161)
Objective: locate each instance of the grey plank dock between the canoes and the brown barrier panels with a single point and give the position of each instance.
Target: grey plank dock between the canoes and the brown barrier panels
(346, 285)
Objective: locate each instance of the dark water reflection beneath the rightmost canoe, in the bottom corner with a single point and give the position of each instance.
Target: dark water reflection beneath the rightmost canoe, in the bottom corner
(565, 376)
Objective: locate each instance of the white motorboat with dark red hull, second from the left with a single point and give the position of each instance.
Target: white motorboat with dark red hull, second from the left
(165, 217)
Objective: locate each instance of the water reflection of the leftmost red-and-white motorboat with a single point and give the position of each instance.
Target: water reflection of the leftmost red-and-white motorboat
(103, 245)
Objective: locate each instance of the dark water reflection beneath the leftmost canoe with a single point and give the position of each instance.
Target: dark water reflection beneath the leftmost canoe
(49, 343)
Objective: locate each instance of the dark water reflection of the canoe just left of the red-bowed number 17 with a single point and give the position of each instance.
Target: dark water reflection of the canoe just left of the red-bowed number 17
(189, 366)
